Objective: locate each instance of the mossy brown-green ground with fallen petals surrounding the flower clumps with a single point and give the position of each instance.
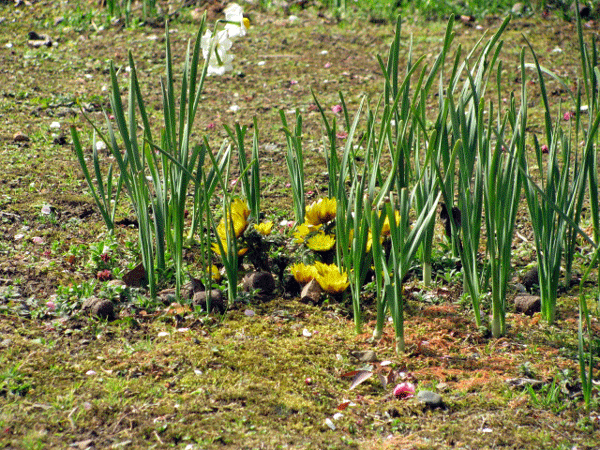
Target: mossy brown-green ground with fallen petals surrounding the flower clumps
(267, 373)
